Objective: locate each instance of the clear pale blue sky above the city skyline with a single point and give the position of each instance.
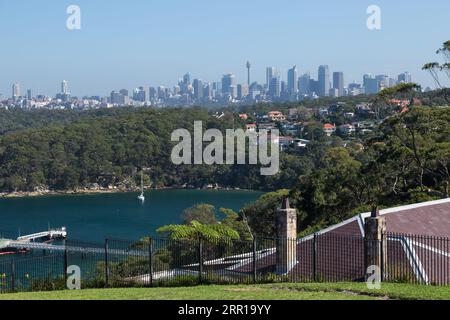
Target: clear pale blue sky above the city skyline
(124, 44)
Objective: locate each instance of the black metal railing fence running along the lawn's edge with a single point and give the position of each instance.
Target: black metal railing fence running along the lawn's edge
(163, 262)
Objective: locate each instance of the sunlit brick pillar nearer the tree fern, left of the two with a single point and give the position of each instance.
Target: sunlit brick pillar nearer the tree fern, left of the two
(286, 238)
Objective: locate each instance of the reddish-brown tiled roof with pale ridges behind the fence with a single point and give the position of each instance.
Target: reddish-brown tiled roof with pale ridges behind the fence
(340, 248)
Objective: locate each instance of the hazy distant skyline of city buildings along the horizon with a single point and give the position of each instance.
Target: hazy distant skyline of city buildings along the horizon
(227, 91)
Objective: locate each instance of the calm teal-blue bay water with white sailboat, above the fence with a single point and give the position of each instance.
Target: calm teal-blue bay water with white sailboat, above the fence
(94, 217)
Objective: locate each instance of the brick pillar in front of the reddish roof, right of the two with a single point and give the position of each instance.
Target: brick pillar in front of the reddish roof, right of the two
(376, 242)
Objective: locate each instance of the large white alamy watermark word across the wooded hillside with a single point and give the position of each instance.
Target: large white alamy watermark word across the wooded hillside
(263, 148)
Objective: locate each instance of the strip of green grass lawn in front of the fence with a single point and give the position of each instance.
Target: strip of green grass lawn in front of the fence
(325, 291)
